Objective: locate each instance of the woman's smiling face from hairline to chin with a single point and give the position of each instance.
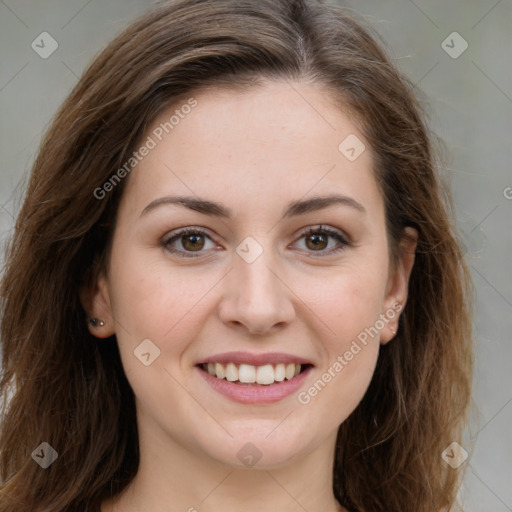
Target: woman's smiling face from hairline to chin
(247, 289)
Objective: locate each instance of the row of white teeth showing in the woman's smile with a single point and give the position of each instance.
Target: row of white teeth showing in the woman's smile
(249, 374)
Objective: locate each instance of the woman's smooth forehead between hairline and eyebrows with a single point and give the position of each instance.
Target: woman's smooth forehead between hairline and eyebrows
(268, 144)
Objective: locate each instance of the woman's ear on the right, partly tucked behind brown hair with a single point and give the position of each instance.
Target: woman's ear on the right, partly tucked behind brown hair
(398, 284)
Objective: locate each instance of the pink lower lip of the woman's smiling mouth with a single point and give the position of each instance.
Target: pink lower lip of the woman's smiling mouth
(255, 394)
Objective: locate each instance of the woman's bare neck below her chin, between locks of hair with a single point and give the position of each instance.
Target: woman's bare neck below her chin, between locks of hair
(174, 478)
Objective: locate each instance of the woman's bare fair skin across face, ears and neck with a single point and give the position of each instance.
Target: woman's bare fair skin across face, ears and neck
(254, 152)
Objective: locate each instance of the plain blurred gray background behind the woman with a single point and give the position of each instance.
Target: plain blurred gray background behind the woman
(471, 104)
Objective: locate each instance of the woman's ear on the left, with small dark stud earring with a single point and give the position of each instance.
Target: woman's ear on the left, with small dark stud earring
(96, 301)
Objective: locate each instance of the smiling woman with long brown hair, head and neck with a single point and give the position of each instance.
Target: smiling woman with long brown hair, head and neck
(234, 283)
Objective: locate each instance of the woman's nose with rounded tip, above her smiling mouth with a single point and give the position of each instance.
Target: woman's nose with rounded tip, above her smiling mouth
(256, 296)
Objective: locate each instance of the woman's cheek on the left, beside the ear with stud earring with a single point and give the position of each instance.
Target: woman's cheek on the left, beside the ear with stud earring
(152, 302)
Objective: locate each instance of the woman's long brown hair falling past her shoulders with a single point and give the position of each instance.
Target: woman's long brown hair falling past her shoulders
(62, 387)
